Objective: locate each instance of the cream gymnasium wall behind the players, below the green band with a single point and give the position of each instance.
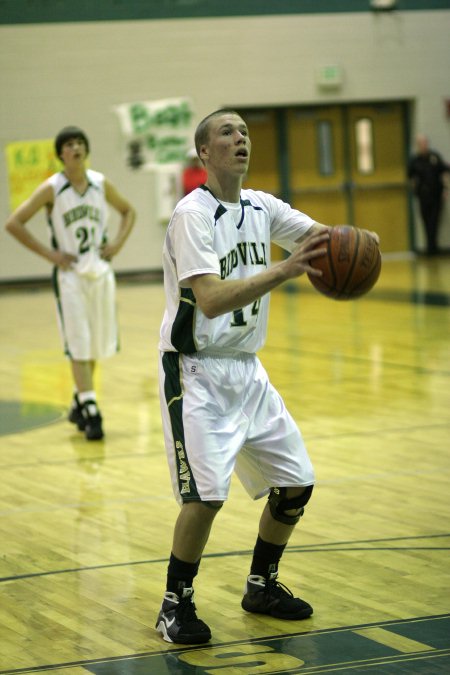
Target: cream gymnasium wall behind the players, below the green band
(53, 74)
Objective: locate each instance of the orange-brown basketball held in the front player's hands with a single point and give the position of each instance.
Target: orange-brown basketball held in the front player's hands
(351, 266)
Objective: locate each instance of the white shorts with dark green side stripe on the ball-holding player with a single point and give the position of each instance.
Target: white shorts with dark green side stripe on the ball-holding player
(222, 414)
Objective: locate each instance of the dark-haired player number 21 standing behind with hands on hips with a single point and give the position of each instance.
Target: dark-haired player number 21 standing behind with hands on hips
(75, 201)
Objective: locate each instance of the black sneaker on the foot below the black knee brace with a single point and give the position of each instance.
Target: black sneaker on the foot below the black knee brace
(268, 596)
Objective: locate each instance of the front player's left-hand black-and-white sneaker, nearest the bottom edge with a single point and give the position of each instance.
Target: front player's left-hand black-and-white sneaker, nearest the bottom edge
(177, 620)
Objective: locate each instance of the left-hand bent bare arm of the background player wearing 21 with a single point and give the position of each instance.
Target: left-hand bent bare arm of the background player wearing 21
(16, 225)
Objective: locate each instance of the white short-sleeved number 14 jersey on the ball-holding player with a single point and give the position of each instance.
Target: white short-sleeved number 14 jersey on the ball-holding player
(206, 236)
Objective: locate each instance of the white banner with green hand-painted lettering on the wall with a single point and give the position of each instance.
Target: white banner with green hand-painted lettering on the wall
(157, 132)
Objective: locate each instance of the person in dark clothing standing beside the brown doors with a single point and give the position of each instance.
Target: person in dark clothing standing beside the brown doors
(427, 171)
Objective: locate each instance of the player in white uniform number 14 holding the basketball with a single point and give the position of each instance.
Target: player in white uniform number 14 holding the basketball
(220, 412)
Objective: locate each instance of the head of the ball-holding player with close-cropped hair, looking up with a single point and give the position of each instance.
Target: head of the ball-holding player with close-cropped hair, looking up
(228, 146)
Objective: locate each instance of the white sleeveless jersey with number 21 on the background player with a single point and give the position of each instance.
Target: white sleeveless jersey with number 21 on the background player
(78, 222)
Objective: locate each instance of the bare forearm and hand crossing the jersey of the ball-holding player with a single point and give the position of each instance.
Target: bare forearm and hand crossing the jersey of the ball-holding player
(216, 296)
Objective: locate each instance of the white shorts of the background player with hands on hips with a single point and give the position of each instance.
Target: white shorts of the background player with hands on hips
(87, 315)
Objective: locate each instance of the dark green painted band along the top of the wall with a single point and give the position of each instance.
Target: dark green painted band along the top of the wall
(63, 11)
